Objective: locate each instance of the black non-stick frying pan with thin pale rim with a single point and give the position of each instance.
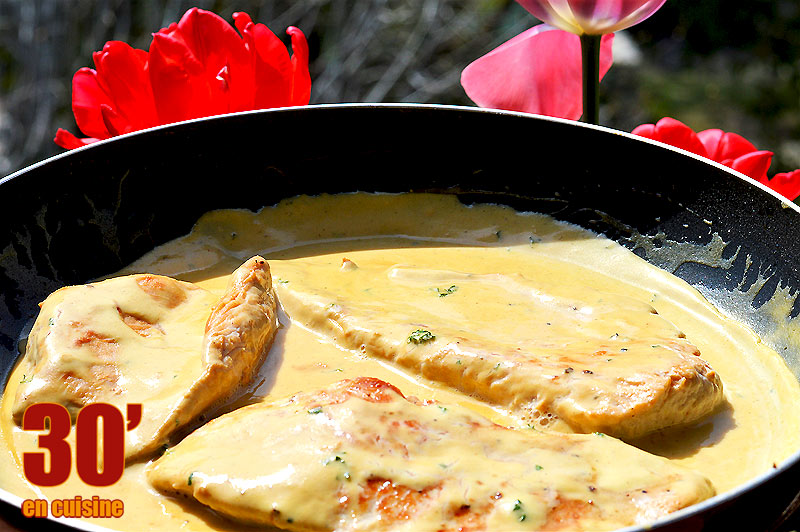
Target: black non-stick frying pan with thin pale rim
(89, 212)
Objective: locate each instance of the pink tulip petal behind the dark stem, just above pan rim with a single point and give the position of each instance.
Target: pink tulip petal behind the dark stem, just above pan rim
(538, 71)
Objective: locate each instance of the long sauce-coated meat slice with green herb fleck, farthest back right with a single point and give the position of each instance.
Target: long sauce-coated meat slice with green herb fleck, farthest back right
(598, 362)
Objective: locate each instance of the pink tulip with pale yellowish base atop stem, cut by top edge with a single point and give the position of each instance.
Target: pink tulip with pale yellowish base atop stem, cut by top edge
(591, 17)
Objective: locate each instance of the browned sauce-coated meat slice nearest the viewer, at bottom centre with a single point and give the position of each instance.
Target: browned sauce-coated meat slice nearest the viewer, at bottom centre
(358, 455)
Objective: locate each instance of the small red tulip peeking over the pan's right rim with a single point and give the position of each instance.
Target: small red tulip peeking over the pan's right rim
(729, 149)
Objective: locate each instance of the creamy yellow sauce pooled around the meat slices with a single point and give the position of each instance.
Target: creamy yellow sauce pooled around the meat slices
(755, 430)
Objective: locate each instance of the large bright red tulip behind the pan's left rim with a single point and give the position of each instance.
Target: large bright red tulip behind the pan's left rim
(197, 67)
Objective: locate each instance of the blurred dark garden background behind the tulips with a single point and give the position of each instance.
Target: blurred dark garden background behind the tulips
(729, 64)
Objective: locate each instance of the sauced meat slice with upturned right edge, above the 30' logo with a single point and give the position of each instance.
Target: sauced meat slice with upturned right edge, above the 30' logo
(173, 347)
